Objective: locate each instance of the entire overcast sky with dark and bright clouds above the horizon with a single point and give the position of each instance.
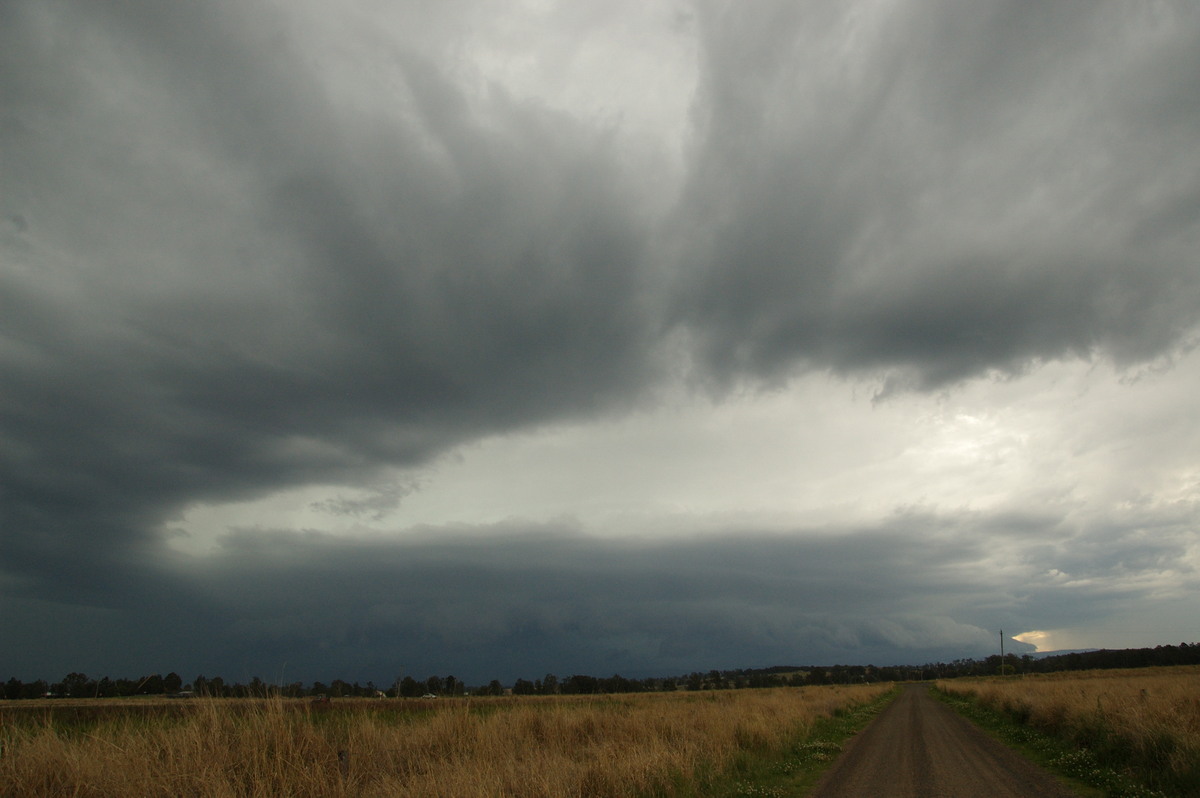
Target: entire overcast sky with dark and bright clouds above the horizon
(502, 339)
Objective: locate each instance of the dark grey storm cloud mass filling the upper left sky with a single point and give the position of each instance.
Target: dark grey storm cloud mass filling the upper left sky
(225, 287)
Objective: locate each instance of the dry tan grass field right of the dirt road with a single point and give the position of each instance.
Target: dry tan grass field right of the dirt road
(1143, 722)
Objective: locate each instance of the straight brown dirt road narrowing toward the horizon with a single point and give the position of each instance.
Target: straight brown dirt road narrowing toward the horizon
(919, 748)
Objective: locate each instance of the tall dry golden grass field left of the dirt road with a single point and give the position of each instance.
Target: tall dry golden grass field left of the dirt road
(537, 748)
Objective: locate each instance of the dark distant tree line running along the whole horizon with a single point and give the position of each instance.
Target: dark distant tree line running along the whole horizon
(80, 686)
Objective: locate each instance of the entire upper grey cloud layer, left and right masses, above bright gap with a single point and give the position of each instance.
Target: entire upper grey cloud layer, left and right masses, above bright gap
(244, 249)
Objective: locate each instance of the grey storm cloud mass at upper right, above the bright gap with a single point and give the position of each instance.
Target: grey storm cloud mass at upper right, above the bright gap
(951, 190)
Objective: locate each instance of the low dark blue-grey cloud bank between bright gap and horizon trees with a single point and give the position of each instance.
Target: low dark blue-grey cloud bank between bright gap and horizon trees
(512, 601)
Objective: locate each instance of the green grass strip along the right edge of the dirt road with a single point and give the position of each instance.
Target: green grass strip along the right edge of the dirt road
(1079, 766)
